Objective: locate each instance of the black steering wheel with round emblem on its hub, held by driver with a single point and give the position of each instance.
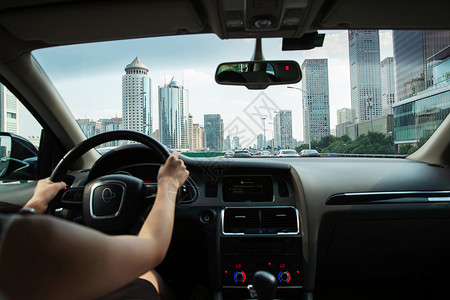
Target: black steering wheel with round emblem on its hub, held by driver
(109, 202)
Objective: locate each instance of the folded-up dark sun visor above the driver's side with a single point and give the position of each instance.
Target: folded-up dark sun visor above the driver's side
(67, 23)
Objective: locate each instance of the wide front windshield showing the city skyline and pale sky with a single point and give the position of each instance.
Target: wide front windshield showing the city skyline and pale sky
(361, 93)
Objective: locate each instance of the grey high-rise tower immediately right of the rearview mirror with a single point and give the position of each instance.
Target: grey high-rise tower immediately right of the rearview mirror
(316, 105)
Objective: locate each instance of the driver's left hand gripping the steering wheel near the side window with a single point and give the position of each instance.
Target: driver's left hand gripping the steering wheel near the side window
(44, 192)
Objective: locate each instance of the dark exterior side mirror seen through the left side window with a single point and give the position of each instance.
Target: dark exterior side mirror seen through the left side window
(18, 158)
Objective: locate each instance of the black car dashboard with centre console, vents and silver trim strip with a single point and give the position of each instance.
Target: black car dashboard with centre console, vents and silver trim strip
(325, 227)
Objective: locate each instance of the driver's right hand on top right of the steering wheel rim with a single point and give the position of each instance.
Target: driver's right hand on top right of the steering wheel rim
(173, 173)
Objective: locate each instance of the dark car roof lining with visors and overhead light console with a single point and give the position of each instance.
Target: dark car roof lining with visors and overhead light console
(29, 24)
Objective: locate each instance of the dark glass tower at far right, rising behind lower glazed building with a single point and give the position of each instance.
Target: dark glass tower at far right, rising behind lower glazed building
(414, 58)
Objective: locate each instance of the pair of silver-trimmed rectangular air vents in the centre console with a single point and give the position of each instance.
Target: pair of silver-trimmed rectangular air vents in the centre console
(262, 220)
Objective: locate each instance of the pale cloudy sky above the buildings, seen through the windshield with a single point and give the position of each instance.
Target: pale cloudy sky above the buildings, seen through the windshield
(226, 100)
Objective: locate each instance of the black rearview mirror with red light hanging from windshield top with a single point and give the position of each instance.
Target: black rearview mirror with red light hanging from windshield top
(258, 75)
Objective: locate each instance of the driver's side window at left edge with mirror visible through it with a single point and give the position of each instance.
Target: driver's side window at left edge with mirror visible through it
(19, 140)
